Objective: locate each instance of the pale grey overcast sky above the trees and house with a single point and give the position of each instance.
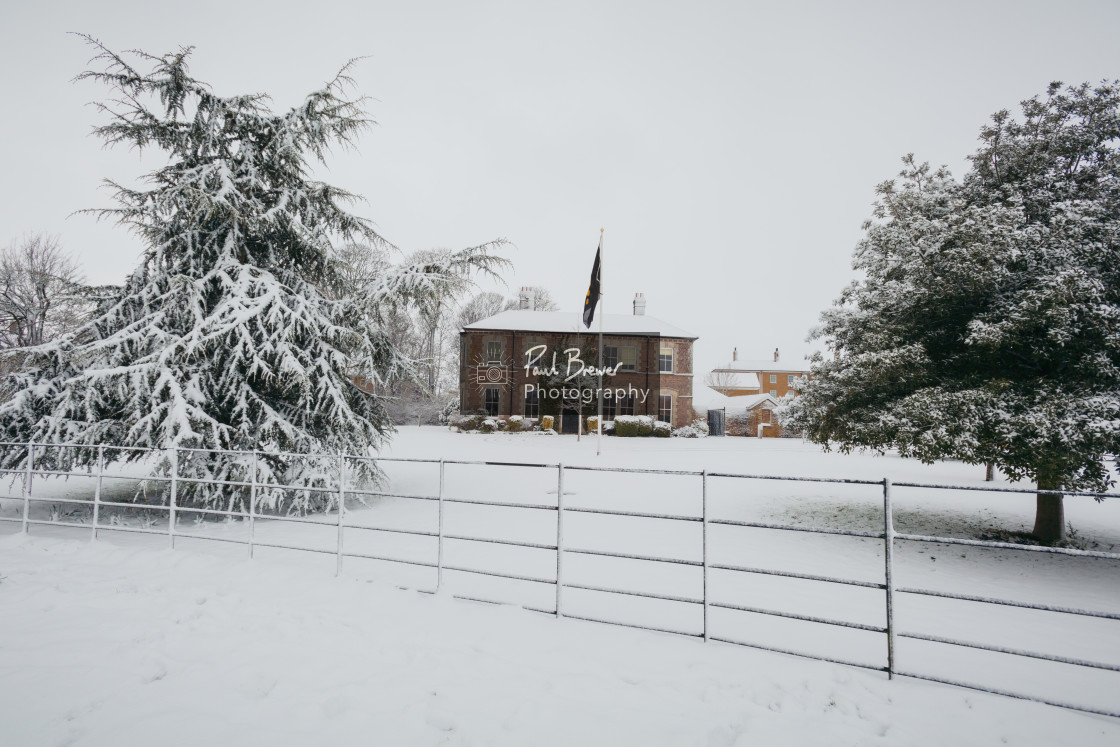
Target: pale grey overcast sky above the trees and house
(730, 150)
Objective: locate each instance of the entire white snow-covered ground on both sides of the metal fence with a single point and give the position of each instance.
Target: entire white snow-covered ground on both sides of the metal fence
(124, 642)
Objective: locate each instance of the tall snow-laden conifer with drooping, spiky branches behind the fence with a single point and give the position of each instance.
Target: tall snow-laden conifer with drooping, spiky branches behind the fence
(238, 330)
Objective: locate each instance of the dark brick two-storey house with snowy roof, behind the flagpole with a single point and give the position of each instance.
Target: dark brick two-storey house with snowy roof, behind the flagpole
(505, 362)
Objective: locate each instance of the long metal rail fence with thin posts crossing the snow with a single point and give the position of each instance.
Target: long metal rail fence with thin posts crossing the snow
(444, 498)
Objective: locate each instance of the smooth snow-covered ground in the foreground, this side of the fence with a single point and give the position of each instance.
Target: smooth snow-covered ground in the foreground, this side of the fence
(110, 646)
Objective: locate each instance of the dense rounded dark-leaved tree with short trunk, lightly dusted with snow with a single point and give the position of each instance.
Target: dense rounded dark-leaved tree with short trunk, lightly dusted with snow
(987, 325)
